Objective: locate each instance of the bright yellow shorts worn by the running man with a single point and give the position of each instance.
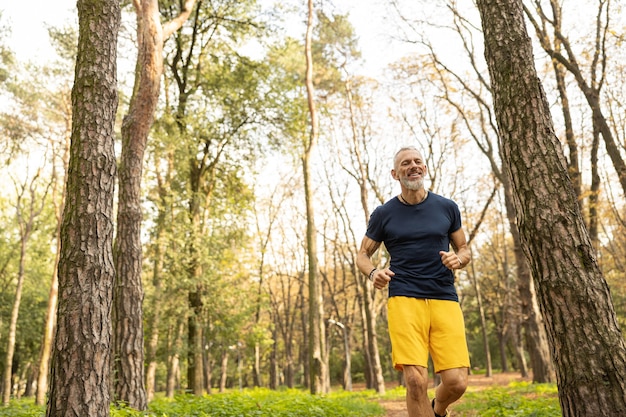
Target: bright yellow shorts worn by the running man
(418, 326)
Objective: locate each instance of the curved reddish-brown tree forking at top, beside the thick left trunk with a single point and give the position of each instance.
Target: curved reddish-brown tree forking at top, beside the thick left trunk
(128, 291)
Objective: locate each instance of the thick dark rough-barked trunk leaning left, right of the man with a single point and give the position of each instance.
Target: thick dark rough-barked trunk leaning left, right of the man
(587, 346)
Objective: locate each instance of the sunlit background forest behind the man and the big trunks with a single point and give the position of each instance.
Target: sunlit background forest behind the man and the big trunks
(225, 268)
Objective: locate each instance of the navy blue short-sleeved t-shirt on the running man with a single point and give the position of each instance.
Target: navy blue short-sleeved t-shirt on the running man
(414, 235)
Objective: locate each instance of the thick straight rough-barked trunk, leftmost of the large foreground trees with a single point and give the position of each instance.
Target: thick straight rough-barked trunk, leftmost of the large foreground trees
(81, 354)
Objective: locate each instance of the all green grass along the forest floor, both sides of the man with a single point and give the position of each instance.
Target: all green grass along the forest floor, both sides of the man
(517, 399)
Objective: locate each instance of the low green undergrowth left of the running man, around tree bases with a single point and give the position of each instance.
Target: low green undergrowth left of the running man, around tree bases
(247, 403)
